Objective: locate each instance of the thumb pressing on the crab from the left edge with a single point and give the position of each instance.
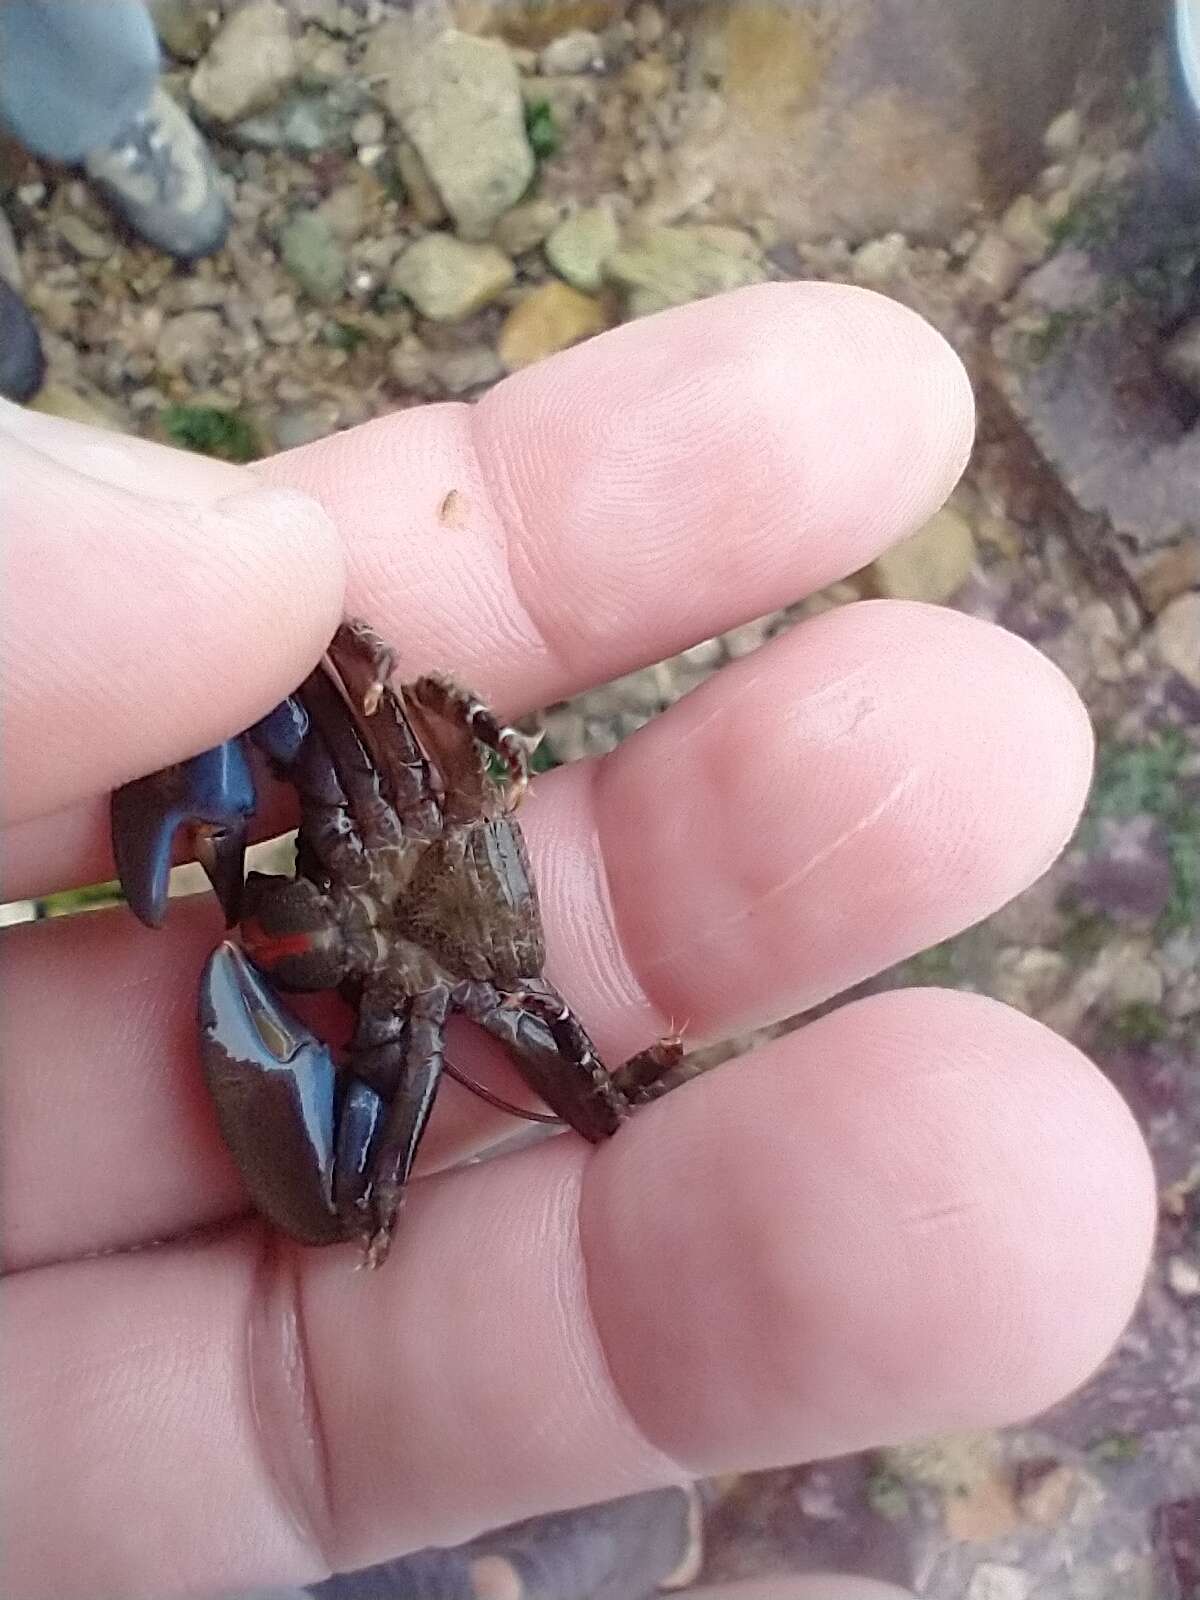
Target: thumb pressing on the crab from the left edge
(156, 606)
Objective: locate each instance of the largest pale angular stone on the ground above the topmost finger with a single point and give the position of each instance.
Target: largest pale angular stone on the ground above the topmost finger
(460, 103)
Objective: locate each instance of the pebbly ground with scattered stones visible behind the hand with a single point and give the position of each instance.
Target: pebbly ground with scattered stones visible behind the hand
(422, 212)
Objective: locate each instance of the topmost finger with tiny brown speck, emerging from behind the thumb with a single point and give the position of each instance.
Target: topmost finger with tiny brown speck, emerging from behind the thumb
(650, 489)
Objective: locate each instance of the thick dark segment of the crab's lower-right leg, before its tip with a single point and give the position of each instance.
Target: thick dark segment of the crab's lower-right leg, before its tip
(553, 1054)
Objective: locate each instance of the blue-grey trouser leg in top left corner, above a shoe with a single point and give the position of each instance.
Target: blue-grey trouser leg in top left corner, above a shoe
(74, 73)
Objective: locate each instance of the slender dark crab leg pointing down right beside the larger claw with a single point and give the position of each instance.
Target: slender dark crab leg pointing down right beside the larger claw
(393, 1159)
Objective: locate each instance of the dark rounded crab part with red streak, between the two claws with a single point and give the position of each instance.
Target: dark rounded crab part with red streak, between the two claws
(290, 932)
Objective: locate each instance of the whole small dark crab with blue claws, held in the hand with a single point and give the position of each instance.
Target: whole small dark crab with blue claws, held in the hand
(414, 898)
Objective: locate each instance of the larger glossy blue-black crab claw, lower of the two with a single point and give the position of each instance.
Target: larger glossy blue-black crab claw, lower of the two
(274, 1089)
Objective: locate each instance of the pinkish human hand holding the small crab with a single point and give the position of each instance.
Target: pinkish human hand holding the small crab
(921, 1214)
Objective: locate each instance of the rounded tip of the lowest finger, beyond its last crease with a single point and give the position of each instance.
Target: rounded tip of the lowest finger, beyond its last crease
(921, 1214)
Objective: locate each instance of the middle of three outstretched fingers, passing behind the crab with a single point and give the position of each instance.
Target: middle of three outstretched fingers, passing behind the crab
(820, 810)
